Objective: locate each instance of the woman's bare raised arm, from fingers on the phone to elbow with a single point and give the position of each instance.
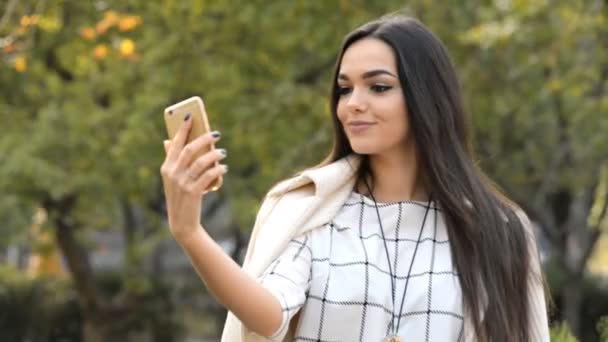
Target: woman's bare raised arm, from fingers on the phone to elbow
(185, 180)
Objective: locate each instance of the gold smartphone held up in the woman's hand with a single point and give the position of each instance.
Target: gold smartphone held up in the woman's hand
(174, 117)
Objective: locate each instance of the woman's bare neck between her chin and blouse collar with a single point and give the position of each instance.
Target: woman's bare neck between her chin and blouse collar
(396, 177)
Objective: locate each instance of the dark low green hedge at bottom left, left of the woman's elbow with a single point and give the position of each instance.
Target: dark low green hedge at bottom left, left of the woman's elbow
(46, 308)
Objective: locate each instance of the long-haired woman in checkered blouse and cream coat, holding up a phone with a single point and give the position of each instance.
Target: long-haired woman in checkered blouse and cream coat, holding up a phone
(396, 236)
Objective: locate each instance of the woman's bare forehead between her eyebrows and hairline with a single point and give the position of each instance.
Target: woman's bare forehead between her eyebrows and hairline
(367, 54)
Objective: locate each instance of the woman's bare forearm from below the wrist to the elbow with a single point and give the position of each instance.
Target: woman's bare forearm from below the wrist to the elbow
(255, 306)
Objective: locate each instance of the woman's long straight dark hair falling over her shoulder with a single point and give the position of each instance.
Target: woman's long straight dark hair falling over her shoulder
(490, 245)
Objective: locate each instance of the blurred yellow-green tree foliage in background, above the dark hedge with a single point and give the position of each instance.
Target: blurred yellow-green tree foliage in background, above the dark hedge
(84, 85)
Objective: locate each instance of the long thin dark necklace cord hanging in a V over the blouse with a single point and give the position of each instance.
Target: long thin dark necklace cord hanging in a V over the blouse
(393, 337)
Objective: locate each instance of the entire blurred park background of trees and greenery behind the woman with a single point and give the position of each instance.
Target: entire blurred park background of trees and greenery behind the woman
(84, 245)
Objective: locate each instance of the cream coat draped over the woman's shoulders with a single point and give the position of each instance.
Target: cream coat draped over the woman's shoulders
(306, 202)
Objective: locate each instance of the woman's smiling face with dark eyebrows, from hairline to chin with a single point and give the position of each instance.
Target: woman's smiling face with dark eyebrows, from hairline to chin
(371, 106)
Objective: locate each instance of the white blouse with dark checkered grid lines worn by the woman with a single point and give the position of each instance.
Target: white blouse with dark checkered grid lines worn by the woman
(338, 276)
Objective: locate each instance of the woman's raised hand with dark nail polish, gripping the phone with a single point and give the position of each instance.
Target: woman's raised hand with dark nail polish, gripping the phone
(186, 178)
